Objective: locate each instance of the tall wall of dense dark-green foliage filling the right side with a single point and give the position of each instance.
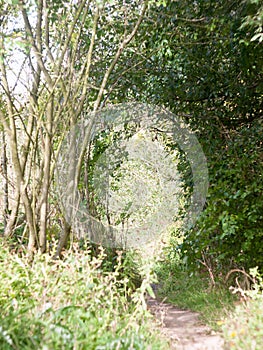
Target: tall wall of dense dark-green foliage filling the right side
(206, 68)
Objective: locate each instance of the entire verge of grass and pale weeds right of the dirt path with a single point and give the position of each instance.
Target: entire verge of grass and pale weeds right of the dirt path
(238, 317)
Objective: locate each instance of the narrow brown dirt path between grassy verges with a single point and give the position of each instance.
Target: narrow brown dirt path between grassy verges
(183, 328)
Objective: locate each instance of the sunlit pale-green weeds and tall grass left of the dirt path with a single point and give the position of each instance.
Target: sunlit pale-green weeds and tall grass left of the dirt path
(72, 304)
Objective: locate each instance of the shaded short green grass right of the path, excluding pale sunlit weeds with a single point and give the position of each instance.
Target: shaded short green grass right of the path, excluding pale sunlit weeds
(195, 292)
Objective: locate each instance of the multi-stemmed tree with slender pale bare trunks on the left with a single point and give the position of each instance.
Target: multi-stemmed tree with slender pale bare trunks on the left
(66, 52)
